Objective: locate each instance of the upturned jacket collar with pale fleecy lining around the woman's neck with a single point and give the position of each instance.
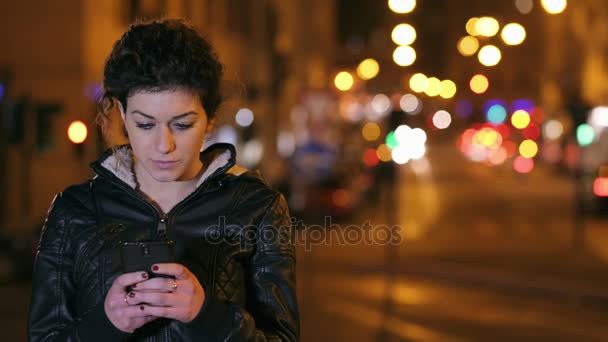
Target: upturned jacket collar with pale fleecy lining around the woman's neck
(117, 163)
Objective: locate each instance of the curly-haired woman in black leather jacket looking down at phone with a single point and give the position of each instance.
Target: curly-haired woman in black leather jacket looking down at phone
(234, 272)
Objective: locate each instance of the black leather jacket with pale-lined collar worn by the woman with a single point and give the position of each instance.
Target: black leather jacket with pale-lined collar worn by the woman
(233, 233)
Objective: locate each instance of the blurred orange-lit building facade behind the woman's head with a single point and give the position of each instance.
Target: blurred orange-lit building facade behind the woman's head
(51, 71)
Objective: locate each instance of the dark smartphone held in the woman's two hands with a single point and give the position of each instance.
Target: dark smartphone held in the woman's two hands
(141, 255)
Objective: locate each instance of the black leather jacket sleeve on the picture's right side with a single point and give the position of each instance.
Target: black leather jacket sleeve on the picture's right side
(272, 312)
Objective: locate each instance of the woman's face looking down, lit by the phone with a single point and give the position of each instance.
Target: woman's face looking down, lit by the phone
(166, 130)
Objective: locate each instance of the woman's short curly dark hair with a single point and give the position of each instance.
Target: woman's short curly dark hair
(161, 55)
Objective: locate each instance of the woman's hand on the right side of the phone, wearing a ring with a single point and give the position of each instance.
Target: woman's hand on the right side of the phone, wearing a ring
(181, 298)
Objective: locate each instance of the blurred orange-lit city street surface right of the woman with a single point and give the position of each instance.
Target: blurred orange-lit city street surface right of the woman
(487, 255)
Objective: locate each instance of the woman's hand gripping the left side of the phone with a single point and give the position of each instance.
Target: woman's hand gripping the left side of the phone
(124, 316)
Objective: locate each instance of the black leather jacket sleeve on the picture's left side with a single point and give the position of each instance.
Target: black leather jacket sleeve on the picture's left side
(51, 311)
